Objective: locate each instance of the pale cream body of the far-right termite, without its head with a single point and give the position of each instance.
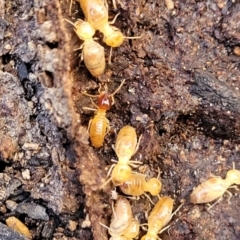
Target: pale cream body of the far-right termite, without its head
(210, 190)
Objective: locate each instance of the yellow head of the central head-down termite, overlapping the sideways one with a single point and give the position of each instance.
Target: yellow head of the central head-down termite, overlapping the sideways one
(120, 174)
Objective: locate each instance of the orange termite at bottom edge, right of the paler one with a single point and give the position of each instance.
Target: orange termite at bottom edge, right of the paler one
(159, 218)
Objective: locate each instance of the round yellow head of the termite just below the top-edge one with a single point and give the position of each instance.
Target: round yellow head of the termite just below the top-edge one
(84, 29)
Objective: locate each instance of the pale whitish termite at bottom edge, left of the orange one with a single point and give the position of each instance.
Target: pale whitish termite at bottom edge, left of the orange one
(123, 226)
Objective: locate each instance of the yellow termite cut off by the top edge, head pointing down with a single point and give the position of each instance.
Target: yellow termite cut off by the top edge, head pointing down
(96, 13)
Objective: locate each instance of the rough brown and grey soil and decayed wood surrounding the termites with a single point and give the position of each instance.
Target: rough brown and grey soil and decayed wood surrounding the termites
(181, 93)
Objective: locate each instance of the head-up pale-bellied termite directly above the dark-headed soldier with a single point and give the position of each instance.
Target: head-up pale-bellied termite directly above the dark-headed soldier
(92, 52)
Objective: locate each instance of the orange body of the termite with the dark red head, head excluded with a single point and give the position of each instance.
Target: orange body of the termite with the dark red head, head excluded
(98, 128)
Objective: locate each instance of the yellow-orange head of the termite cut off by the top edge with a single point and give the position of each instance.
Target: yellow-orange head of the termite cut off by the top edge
(114, 38)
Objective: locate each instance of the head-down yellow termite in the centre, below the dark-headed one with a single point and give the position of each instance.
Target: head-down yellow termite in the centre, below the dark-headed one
(125, 147)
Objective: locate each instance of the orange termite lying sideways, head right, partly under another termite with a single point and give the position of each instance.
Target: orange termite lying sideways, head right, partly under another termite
(136, 185)
